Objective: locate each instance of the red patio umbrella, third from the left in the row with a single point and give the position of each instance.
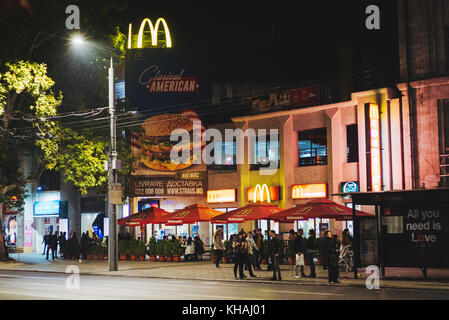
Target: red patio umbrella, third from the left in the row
(252, 211)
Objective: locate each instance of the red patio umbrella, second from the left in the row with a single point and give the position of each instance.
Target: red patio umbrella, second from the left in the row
(191, 214)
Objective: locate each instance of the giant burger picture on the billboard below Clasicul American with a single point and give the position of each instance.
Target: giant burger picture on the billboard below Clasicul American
(154, 145)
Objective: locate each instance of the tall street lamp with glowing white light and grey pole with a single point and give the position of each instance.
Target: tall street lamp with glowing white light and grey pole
(78, 40)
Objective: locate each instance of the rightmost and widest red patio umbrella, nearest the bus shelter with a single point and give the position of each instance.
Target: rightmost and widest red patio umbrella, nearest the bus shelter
(317, 208)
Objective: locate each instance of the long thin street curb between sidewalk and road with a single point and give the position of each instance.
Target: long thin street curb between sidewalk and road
(287, 282)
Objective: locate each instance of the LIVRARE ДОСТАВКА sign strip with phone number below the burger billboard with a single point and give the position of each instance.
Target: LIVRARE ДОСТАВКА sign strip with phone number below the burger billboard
(164, 186)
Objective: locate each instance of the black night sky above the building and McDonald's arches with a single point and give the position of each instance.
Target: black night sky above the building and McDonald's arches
(282, 40)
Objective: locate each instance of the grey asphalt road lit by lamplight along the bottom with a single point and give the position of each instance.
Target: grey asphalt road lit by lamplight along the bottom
(47, 286)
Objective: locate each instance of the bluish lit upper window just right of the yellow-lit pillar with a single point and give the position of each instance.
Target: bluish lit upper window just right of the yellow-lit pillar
(312, 147)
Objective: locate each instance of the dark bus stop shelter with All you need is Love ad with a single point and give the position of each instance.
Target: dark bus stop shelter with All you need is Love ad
(410, 229)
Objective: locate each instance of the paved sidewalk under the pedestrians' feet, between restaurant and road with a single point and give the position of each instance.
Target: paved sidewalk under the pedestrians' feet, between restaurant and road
(438, 279)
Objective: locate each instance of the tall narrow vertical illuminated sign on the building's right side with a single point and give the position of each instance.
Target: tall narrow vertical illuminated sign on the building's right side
(373, 145)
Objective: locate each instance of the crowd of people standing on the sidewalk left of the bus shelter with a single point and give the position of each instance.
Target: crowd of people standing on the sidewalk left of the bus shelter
(247, 252)
